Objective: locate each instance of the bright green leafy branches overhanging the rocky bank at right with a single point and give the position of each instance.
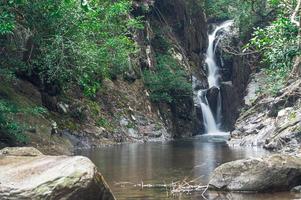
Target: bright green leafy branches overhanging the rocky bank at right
(278, 44)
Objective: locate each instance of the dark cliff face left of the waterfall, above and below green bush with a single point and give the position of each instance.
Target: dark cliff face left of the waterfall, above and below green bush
(187, 34)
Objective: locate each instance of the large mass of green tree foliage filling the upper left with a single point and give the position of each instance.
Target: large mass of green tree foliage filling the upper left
(73, 42)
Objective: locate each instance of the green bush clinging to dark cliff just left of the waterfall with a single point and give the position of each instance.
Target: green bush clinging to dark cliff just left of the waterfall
(169, 82)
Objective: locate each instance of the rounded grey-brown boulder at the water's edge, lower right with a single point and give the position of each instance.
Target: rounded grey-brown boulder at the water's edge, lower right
(277, 172)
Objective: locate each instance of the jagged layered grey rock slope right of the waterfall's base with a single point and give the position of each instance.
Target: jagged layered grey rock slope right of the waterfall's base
(271, 122)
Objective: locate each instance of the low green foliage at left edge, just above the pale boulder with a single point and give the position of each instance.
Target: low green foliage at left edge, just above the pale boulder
(8, 126)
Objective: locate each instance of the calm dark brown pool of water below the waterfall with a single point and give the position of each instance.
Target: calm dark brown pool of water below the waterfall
(158, 163)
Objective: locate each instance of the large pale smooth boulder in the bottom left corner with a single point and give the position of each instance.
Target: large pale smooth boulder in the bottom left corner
(27, 174)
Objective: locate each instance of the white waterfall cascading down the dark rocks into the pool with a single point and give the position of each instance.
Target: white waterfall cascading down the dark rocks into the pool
(212, 124)
